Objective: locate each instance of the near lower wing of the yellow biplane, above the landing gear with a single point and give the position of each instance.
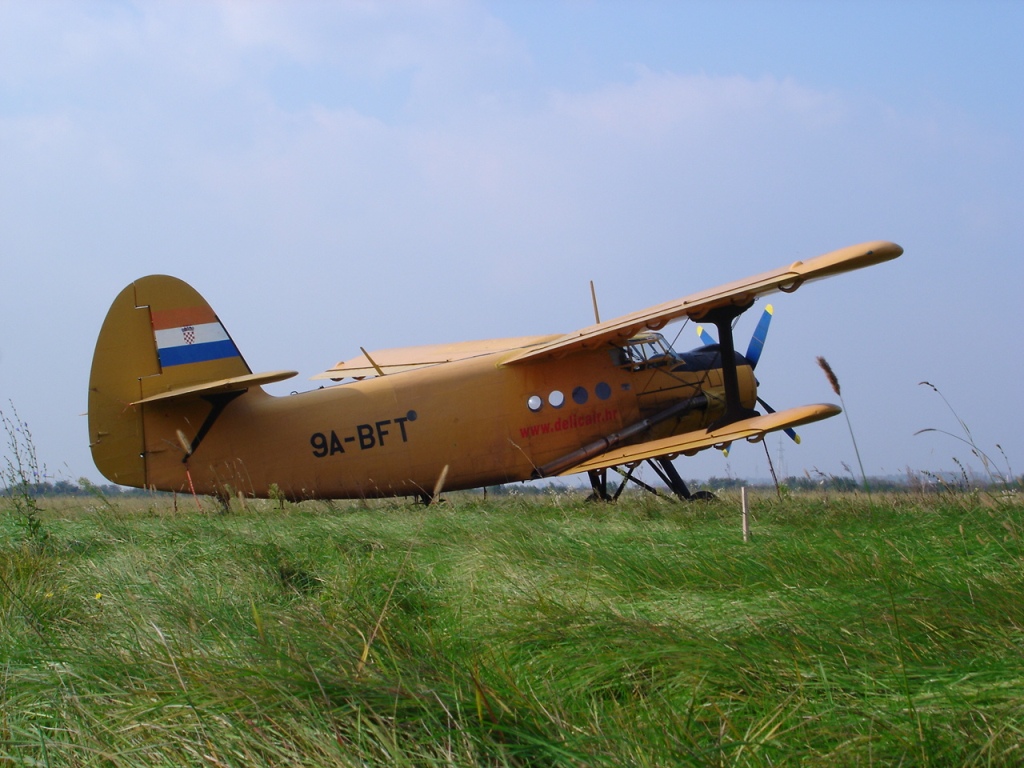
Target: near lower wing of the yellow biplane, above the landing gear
(752, 430)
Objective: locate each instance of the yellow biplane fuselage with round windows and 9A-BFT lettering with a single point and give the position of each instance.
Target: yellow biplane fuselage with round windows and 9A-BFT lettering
(479, 421)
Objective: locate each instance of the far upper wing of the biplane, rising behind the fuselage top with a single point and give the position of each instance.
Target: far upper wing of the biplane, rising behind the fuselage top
(408, 359)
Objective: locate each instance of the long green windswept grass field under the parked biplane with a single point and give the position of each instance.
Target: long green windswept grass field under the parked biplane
(519, 631)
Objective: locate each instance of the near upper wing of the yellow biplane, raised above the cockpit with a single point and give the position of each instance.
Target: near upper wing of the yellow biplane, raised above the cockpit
(742, 292)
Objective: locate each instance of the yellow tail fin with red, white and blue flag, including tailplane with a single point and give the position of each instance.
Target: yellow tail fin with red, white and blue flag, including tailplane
(161, 340)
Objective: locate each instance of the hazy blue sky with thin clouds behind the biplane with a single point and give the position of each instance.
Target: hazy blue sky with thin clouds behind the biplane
(336, 176)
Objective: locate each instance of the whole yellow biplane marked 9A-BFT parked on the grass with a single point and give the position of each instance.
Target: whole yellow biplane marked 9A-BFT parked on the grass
(175, 407)
